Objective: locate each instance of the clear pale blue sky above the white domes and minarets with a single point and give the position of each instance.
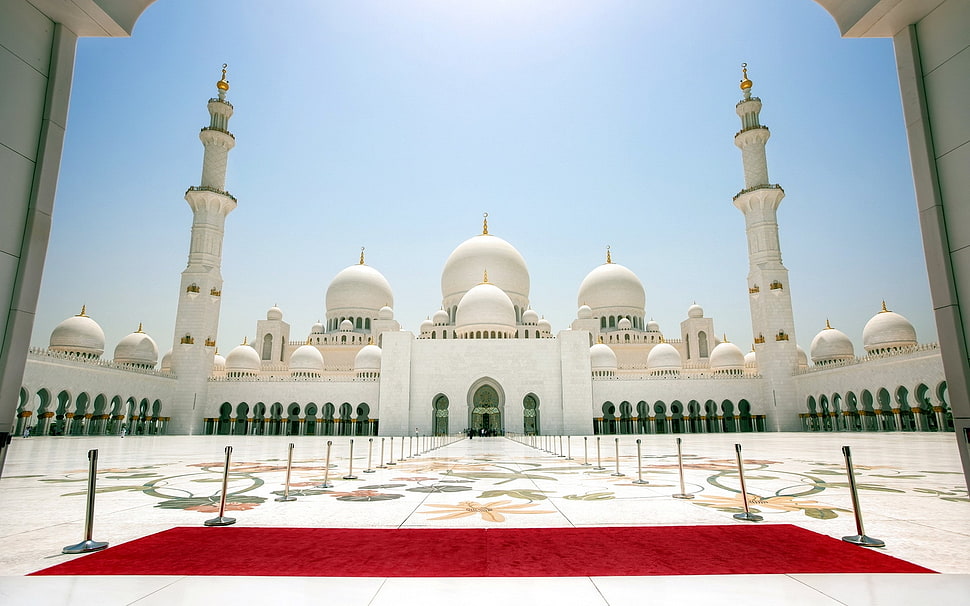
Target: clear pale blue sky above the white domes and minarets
(395, 124)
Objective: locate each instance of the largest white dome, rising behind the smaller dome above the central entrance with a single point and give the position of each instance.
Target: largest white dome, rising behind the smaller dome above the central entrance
(505, 266)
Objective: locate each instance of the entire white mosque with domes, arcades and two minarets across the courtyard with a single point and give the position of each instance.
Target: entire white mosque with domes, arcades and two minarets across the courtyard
(485, 360)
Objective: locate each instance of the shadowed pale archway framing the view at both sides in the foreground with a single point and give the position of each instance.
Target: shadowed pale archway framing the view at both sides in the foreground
(932, 45)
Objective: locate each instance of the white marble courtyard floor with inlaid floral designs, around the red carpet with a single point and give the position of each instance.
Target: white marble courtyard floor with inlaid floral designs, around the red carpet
(912, 493)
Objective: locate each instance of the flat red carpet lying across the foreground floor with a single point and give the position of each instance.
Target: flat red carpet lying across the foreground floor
(493, 552)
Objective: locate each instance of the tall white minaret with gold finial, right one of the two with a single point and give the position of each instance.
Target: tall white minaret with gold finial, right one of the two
(771, 311)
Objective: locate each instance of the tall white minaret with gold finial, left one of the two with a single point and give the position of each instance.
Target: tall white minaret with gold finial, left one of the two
(200, 292)
